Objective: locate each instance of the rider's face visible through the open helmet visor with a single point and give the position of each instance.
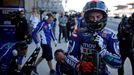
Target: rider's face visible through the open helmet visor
(95, 16)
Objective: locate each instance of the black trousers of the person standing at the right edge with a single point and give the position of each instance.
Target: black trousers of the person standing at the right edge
(126, 52)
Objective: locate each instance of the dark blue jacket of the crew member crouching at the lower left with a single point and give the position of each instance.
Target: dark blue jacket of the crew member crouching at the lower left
(9, 61)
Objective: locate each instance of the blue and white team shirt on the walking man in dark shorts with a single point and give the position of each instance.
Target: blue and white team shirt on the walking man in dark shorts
(45, 31)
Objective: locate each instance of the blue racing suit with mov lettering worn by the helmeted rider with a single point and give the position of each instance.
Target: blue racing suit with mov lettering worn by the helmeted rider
(83, 47)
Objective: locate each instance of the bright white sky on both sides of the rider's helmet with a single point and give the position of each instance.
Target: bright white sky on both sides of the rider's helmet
(79, 4)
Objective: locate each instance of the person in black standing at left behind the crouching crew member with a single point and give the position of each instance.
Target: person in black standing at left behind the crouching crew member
(21, 26)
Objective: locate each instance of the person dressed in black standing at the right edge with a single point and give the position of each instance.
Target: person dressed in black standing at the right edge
(126, 41)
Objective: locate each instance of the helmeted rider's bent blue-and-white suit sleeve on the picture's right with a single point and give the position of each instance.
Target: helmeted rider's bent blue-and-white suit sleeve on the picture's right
(112, 53)
